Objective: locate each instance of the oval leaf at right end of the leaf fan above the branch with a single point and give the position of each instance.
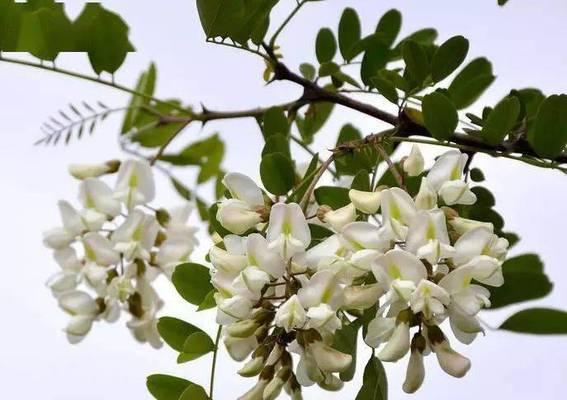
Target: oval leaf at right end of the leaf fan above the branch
(471, 82)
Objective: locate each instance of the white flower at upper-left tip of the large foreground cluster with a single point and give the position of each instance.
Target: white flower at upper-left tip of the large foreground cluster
(240, 213)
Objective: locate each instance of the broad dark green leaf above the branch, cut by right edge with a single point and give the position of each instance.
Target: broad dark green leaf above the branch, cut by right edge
(548, 136)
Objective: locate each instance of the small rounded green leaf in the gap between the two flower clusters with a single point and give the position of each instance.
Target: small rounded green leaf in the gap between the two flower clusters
(192, 281)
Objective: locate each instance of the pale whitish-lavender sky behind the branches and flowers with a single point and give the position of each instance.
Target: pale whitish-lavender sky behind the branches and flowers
(523, 40)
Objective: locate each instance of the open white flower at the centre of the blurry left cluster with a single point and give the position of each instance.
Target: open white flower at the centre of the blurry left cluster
(136, 236)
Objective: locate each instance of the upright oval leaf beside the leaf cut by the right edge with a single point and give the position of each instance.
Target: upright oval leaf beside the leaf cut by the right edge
(501, 121)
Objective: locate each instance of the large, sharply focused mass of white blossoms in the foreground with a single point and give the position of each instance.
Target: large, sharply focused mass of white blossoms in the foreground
(411, 262)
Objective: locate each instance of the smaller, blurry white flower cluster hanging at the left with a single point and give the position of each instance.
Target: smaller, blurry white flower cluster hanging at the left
(112, 249)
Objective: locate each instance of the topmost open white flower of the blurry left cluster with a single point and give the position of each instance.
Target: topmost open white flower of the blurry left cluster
(135, 183)
